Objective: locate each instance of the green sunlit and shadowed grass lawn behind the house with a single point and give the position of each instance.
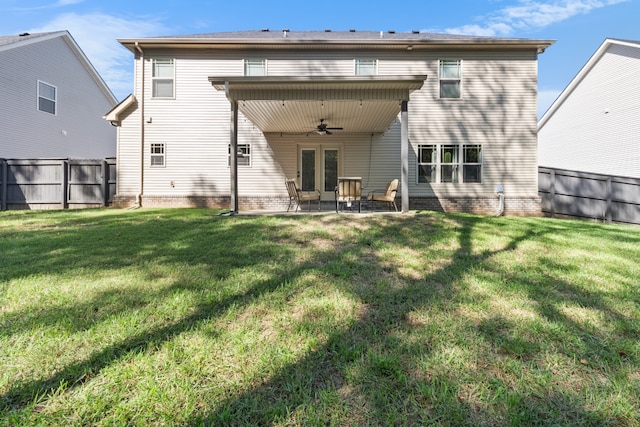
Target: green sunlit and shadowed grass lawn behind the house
(182, 317)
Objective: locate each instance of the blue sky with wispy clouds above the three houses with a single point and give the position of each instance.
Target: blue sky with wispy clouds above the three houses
(579, 26)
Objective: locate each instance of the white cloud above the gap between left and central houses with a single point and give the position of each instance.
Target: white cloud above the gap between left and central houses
(96, 35)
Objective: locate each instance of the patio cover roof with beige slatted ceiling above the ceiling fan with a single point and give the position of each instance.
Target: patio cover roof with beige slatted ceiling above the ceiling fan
(295, 104)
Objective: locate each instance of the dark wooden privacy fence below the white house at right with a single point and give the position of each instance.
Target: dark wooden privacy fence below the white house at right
(588, 195)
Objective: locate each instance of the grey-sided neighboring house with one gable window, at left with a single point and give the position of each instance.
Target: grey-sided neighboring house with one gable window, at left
(52, 100)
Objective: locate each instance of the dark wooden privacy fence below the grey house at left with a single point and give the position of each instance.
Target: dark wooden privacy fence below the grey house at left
(56, 183)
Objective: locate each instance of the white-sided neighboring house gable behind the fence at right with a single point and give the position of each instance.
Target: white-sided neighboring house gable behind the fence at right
(594, 125)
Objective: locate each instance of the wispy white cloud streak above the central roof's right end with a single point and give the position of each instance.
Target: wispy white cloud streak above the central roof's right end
(530, 15)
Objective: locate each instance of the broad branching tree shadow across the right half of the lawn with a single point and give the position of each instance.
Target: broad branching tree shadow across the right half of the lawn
(360, 375)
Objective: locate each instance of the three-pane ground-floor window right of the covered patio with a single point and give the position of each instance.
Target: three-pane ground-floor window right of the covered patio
(450, 163)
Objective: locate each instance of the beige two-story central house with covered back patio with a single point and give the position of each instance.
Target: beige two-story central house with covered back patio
(453, 117)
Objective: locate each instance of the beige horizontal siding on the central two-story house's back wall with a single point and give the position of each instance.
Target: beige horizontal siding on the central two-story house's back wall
(498, 110)
